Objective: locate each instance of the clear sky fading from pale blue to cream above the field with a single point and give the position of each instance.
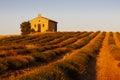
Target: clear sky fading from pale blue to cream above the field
(71, 15)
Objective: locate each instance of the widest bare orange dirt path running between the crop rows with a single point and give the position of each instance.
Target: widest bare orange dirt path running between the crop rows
(106, 66)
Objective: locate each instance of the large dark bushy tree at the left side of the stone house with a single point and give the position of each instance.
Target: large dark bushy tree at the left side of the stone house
(25, 28)
